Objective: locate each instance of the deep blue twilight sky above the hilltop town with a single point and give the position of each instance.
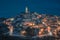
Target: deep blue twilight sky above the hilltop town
(9, 8)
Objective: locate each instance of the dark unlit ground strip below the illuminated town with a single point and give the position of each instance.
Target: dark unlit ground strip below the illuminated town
(27, 38)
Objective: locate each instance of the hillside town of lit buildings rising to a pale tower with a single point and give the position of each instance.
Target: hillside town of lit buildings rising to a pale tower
(33, 24)
